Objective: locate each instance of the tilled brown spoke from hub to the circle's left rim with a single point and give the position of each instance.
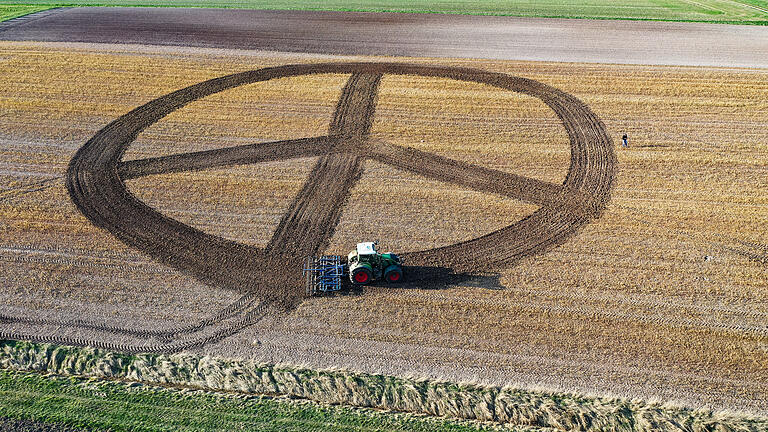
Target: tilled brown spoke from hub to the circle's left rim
(239, 155)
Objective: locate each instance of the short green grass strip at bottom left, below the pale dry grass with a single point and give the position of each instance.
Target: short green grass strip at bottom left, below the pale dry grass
(98, 404)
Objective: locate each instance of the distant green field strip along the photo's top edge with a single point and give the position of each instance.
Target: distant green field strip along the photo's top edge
(721, 11)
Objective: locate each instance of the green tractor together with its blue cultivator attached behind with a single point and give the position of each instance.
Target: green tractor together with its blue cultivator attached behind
(364, 265)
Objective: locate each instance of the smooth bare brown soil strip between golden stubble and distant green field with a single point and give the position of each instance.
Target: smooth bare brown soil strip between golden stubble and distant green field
(413, 35)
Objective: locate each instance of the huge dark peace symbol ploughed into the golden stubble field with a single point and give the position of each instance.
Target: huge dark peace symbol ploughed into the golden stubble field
(96, 181)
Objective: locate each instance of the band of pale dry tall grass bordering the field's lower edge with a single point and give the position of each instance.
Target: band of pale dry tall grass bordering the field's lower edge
(512, 407)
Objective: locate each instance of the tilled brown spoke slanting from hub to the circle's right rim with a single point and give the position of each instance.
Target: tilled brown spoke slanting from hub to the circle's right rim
(481, 179)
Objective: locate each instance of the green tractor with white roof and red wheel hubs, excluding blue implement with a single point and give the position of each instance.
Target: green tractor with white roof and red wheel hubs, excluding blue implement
(366, 265)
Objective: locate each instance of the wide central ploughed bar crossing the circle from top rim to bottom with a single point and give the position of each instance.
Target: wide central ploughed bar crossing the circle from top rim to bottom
(311, 220)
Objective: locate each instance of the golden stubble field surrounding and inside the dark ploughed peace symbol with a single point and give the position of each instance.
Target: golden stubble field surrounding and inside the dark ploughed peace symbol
(662, 296)
